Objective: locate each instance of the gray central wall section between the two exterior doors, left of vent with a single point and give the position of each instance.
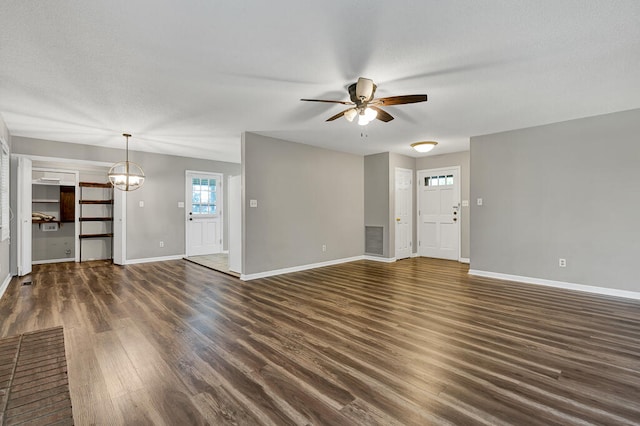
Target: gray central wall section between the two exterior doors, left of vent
(307, 197)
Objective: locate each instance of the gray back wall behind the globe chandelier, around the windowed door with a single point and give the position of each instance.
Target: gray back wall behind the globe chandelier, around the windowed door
(160, 219)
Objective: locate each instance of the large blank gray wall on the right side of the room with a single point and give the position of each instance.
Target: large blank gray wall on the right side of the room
(566, 190)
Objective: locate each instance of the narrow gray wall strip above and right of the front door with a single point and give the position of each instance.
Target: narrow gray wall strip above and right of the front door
(447, 160)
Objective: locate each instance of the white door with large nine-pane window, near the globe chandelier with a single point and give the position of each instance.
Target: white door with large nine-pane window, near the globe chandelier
(203, 213)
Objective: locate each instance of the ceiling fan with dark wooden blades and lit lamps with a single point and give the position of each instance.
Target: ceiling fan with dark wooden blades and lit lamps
(365, 106)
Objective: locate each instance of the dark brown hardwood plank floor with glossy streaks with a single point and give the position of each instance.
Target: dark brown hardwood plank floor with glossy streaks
(416, 342)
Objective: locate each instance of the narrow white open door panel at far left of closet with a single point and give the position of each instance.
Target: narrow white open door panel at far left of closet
(24, 214)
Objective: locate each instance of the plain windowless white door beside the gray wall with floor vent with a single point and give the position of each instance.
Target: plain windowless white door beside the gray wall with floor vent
(404, 217)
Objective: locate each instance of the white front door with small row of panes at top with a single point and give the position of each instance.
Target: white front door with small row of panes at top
(439, 213)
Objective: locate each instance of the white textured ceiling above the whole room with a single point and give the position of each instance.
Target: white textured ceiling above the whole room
(187, 78)
